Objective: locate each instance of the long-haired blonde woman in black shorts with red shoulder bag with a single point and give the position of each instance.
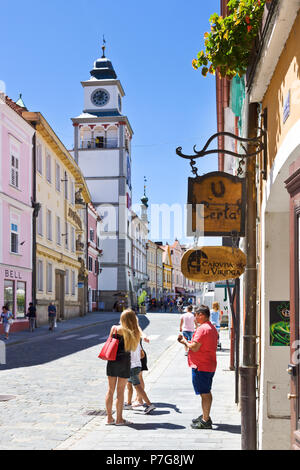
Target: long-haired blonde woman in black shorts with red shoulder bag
(118, 371)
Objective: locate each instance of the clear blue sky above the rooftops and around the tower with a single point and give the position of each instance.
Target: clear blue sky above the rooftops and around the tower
(49, 47)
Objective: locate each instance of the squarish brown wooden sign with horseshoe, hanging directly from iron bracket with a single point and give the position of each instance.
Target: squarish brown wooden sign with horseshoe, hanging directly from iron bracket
(217, 202)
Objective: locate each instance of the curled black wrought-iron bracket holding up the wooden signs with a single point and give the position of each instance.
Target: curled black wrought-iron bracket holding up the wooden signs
(258, 141)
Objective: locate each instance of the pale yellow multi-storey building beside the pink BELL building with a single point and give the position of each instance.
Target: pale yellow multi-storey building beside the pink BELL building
(62, 197)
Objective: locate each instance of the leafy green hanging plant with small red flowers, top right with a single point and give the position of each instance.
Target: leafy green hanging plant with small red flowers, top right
(230, 41)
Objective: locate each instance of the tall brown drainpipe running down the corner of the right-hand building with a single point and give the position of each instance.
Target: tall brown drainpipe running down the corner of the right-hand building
(248, 369)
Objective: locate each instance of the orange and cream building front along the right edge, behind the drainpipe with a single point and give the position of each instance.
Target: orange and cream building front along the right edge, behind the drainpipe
(275, 92)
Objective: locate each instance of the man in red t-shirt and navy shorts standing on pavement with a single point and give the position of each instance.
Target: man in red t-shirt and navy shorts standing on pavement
(202, 358)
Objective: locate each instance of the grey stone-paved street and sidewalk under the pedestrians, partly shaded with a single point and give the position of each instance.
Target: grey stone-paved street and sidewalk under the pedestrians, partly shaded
(59, 386)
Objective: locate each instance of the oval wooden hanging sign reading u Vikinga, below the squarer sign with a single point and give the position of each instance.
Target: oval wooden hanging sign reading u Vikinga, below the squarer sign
(213, 263)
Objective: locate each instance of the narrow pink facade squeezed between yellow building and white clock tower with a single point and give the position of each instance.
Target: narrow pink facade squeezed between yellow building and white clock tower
(94, 254)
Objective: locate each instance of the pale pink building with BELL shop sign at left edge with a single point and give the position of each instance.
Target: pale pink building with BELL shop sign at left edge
(16, 137)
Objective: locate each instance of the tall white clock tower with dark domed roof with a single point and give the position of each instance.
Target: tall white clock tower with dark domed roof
(102, 149)
